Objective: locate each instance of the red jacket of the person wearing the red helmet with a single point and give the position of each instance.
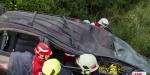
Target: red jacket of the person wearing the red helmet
(37, 65)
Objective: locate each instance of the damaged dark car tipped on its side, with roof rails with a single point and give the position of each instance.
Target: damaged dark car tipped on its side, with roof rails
(20, 31)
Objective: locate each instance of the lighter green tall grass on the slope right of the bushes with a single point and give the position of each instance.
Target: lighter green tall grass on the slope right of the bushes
(133, 27)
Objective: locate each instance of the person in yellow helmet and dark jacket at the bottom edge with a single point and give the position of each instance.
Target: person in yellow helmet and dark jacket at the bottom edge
(54, 67)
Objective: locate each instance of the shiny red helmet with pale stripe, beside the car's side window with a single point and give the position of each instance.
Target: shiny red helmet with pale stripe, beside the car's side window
(42, 49)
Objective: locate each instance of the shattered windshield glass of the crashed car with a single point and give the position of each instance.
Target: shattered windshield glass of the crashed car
(127, 53)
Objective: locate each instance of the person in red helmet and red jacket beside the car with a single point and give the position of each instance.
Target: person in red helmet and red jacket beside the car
(43, 52)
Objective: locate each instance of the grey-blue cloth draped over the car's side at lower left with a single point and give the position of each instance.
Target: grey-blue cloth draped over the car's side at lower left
(20, 63)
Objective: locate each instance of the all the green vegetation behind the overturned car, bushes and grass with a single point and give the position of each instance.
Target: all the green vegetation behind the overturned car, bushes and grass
(129, 19)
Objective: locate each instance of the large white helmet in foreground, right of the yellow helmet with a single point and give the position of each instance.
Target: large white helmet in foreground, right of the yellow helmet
(87, 62)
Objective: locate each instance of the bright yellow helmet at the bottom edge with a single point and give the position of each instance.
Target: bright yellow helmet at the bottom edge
(51, 67)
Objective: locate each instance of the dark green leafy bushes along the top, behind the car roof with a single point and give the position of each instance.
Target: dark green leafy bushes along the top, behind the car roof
(76, 8)
